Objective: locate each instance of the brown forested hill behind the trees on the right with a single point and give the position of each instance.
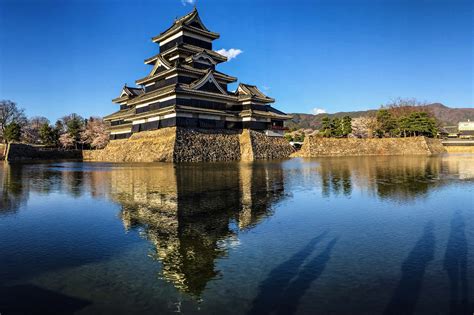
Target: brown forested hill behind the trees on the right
(448, 116)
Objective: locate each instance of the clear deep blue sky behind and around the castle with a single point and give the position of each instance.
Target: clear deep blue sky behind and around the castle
(58, 57)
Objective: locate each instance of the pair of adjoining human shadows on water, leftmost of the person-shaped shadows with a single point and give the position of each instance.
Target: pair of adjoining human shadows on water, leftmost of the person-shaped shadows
(288, 282)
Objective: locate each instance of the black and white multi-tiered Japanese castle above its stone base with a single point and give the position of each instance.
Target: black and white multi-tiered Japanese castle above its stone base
(184, 89)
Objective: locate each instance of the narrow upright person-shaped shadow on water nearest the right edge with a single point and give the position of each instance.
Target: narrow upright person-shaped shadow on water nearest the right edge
(455, 264)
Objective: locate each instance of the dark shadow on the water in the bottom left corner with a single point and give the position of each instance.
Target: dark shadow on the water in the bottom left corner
(31, 299)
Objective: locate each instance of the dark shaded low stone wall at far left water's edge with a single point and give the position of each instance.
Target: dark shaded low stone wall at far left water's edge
(17, 152)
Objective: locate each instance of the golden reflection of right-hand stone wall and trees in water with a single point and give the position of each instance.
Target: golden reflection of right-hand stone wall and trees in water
(397, 178)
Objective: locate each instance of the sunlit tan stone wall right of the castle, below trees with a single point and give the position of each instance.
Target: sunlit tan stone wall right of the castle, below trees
(317, 146)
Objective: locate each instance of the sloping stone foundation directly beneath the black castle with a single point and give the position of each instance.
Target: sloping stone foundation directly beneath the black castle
(176, 144)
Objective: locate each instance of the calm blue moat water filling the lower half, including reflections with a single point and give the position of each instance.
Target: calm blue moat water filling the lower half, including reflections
(375, 235)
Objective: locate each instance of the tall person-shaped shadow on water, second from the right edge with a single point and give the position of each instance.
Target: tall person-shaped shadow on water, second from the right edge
(413, 269)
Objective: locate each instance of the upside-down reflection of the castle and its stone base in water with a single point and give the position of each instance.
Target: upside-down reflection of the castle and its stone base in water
(188, 212)
